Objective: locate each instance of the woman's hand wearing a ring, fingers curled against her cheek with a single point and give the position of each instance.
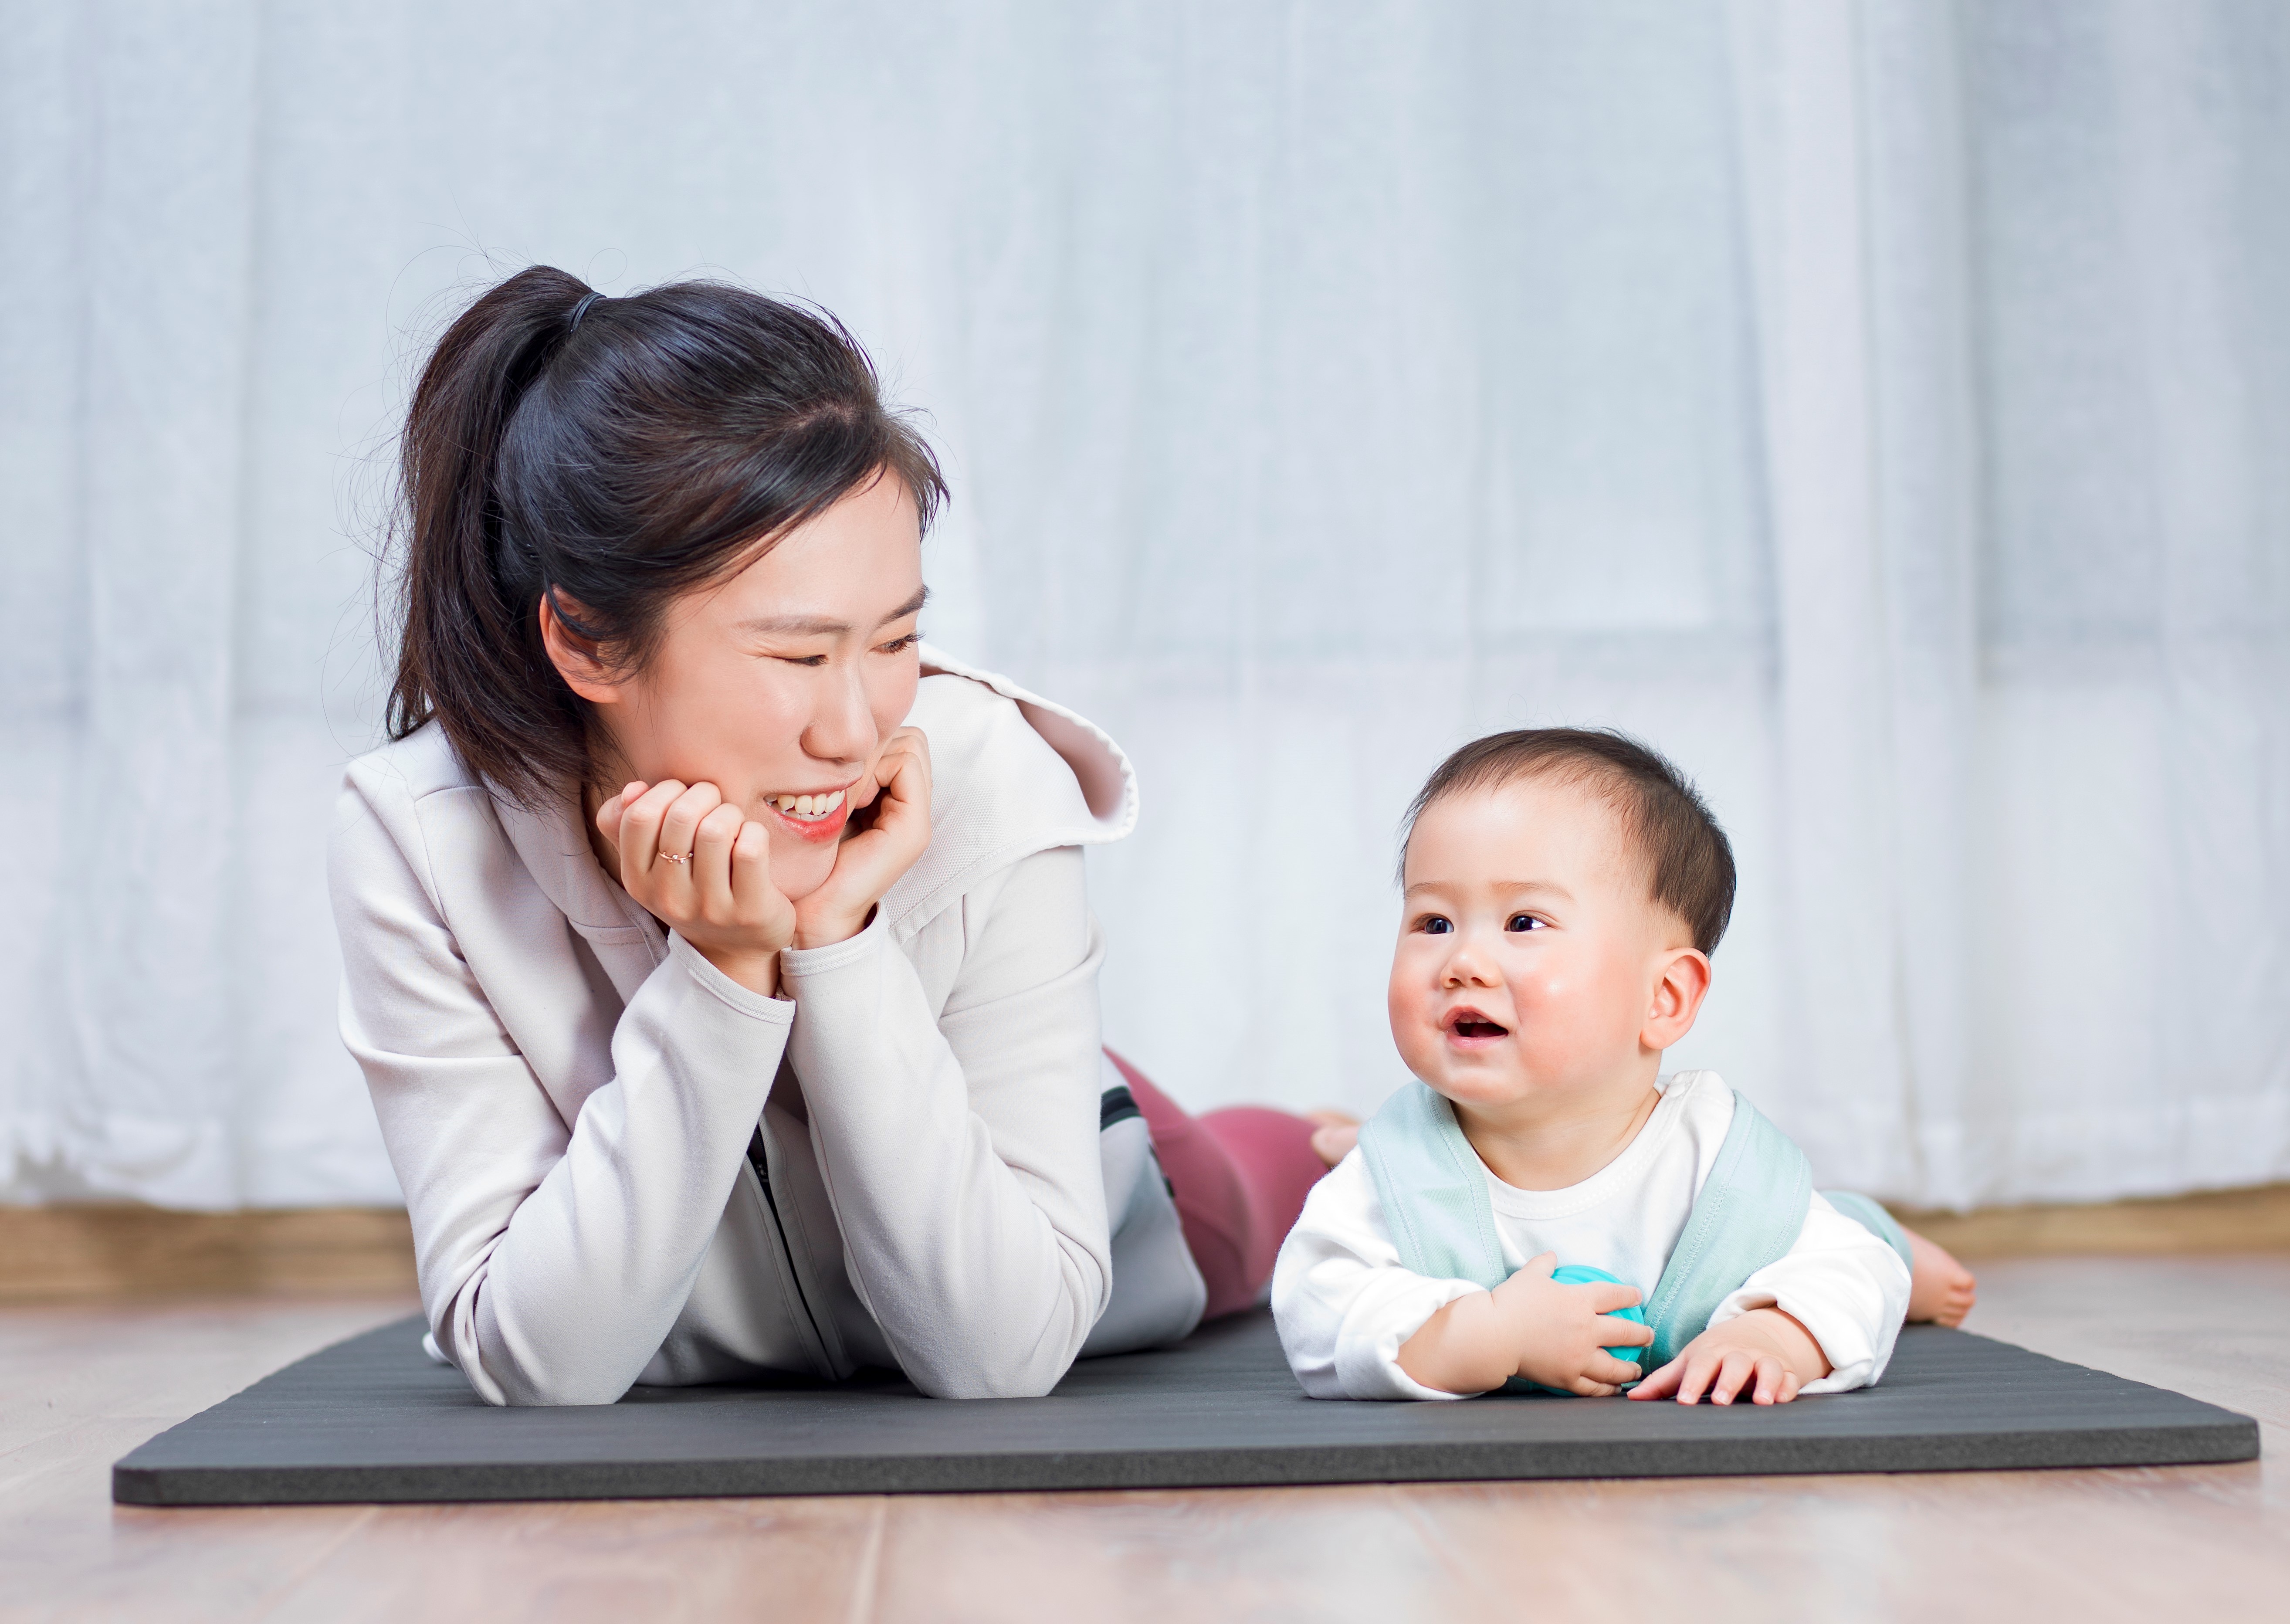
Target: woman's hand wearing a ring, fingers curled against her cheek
(706, 874)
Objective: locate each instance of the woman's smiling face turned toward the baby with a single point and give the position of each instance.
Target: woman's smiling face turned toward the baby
(782, 684)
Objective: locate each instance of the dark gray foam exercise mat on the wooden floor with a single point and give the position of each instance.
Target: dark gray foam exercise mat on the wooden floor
(374, 1421)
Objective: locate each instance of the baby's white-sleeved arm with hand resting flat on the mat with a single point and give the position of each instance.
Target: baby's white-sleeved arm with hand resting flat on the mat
(1819, 1321)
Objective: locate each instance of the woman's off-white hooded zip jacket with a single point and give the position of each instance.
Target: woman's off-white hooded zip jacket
(624, 1167)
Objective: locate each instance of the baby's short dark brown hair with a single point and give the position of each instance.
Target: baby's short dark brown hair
(1689, 860)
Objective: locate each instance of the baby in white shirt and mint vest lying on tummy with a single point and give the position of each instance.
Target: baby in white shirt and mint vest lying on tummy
(1542, 1208)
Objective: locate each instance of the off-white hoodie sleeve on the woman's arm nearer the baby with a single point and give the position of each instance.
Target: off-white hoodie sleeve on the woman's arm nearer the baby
(961, 1146)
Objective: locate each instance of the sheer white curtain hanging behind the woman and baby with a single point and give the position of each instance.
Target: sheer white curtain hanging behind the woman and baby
(1877, 407)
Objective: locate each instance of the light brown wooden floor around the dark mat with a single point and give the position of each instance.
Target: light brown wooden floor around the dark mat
(84, 1385)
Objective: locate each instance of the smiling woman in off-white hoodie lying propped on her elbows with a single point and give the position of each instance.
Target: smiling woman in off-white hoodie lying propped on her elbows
(720, 959)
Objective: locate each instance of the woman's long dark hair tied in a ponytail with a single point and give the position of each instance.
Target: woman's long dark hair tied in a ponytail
(615, 455)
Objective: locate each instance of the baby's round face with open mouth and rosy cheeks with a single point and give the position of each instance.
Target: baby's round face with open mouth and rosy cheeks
(1531, 954)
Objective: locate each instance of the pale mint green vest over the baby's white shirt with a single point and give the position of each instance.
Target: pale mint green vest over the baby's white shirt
(1748, 1215)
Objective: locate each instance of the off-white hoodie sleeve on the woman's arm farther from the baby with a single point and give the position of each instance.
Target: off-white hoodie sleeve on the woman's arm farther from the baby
(553, 1259)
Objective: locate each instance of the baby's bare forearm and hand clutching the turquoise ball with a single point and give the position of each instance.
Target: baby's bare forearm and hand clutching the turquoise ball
(1529, 1327)
